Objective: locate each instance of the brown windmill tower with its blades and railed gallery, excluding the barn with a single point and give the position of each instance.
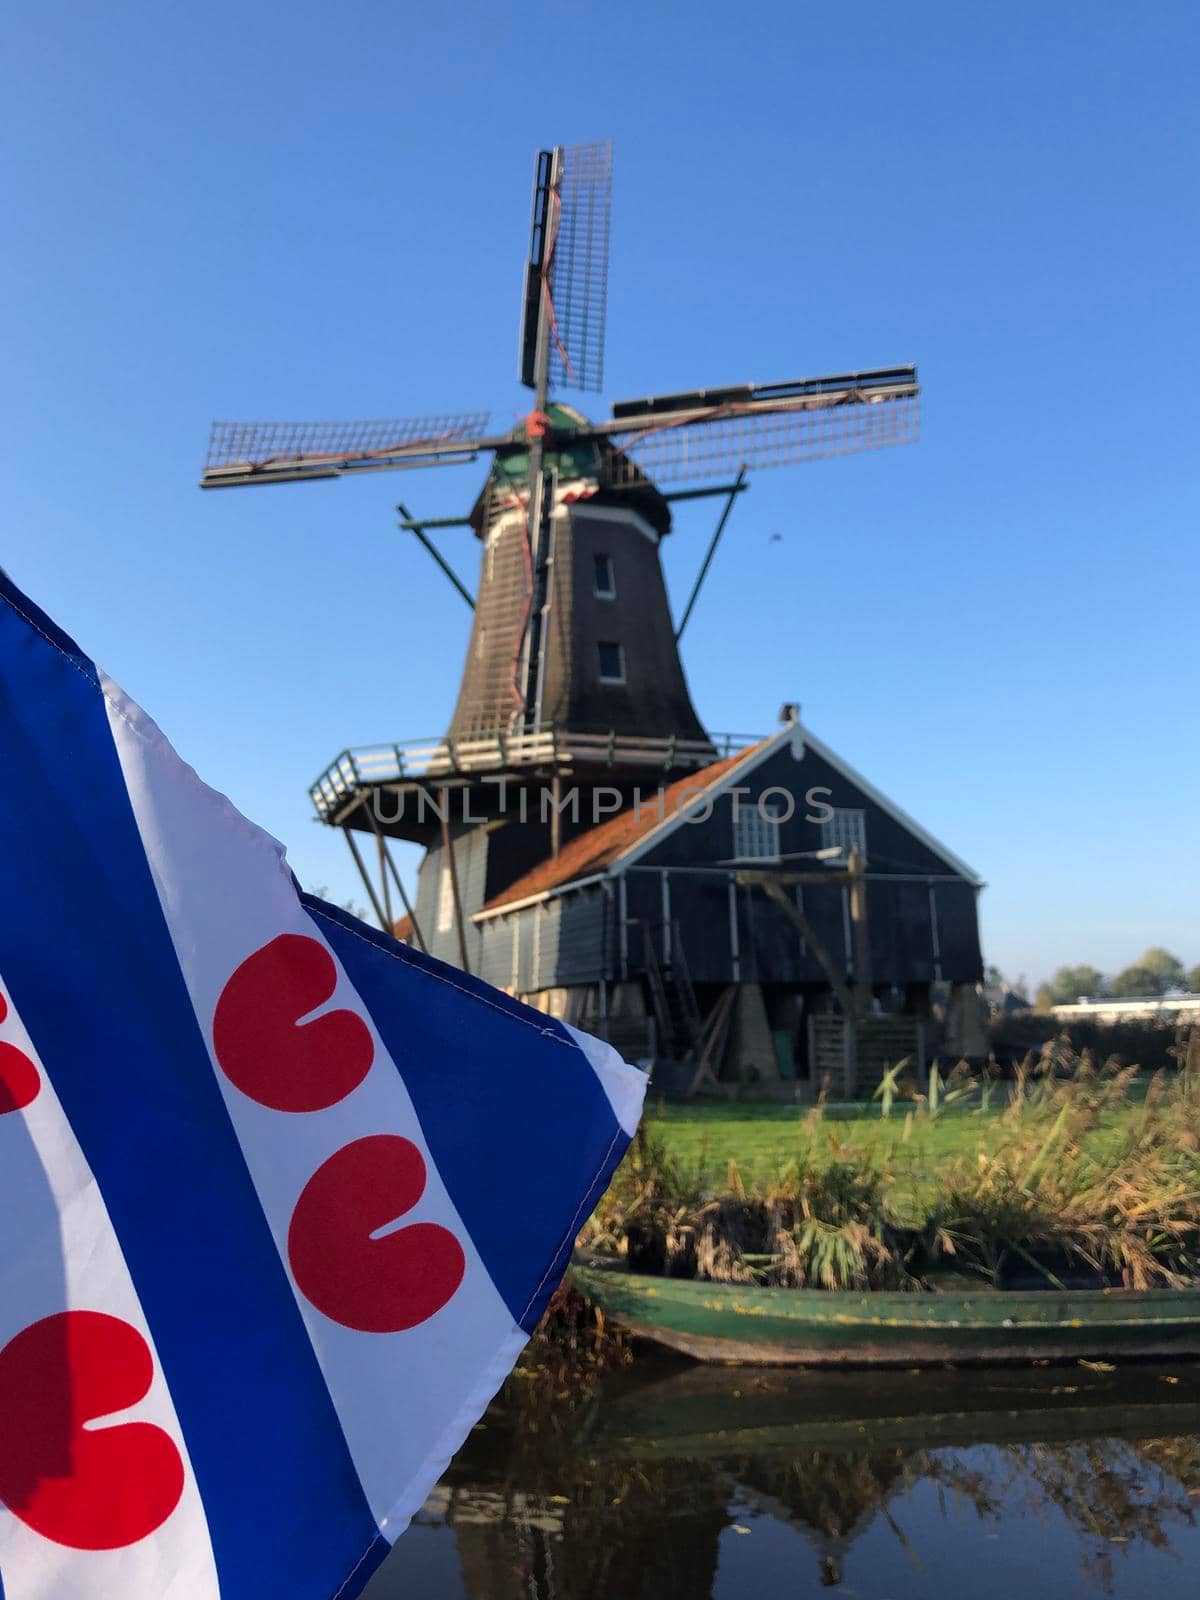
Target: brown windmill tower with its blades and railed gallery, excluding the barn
(574, 663)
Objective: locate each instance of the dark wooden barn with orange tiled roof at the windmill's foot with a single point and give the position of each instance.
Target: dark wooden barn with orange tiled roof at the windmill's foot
(769, 918)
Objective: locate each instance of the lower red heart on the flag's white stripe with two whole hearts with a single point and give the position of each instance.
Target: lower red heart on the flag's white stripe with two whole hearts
(375, 1286)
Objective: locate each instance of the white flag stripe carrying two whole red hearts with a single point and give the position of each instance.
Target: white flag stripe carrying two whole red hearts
(406, 1401)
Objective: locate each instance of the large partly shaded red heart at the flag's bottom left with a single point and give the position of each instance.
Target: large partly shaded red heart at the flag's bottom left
(92, 1489)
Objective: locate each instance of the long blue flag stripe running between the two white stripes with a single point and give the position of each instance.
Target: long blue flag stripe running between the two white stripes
(92, 969)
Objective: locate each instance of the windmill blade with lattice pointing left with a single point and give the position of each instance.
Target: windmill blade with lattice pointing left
(281, 452)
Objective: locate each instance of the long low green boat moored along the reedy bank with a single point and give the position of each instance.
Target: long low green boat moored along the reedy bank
(778, 1327)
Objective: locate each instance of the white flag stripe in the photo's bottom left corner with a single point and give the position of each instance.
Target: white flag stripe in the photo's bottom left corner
(60, 1254)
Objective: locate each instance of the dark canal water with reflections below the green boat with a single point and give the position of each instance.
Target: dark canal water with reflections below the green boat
(665, 1481)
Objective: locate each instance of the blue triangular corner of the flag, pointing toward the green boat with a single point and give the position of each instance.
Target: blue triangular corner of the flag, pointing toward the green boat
(516, 1118)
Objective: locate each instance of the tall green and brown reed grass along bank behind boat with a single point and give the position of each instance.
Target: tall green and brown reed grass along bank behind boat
(1074, 1182)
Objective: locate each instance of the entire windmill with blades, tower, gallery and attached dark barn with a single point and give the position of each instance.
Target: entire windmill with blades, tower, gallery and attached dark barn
(737, 911)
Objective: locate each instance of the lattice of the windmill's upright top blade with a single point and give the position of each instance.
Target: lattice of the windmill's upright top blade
(578, 274)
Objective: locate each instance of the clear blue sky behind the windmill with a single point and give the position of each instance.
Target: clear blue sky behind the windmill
(303, 210)
